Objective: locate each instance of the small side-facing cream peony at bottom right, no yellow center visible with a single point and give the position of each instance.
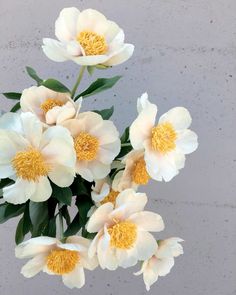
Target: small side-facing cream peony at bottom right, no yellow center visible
(161, 263)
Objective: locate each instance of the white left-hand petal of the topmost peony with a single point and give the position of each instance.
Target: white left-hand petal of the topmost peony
(55, 50)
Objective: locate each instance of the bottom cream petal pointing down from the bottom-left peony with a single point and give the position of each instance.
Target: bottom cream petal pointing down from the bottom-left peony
(74, 279)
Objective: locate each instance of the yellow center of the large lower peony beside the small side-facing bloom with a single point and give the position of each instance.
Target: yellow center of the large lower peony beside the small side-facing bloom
(123, 235)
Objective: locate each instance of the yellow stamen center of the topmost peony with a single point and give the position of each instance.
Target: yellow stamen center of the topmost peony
(92, 43)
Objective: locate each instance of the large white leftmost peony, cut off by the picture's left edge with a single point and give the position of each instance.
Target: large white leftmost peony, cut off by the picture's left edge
(30, 156)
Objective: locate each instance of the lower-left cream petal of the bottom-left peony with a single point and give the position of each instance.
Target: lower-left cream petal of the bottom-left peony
(34, 266)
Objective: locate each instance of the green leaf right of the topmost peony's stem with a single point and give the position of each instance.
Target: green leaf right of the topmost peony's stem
(99, 85)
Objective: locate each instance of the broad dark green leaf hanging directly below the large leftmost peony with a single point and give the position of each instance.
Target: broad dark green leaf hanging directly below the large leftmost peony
(39, 217)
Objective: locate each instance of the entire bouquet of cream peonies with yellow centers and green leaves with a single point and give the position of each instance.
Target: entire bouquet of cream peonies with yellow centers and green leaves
(54, 156)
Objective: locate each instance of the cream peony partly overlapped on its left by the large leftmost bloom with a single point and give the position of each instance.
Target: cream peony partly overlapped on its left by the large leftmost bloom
(96, 142)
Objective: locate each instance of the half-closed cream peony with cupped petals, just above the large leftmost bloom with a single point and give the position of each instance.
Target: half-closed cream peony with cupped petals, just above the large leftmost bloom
(49, 106)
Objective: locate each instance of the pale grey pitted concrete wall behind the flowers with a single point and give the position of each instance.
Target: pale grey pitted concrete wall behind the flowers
(185, 55)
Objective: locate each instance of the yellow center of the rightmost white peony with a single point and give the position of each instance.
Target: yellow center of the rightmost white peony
(163, 138)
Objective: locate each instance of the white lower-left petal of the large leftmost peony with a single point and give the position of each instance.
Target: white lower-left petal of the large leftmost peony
(19, 192)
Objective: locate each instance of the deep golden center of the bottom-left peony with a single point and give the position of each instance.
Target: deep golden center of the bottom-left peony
(62, 262)
